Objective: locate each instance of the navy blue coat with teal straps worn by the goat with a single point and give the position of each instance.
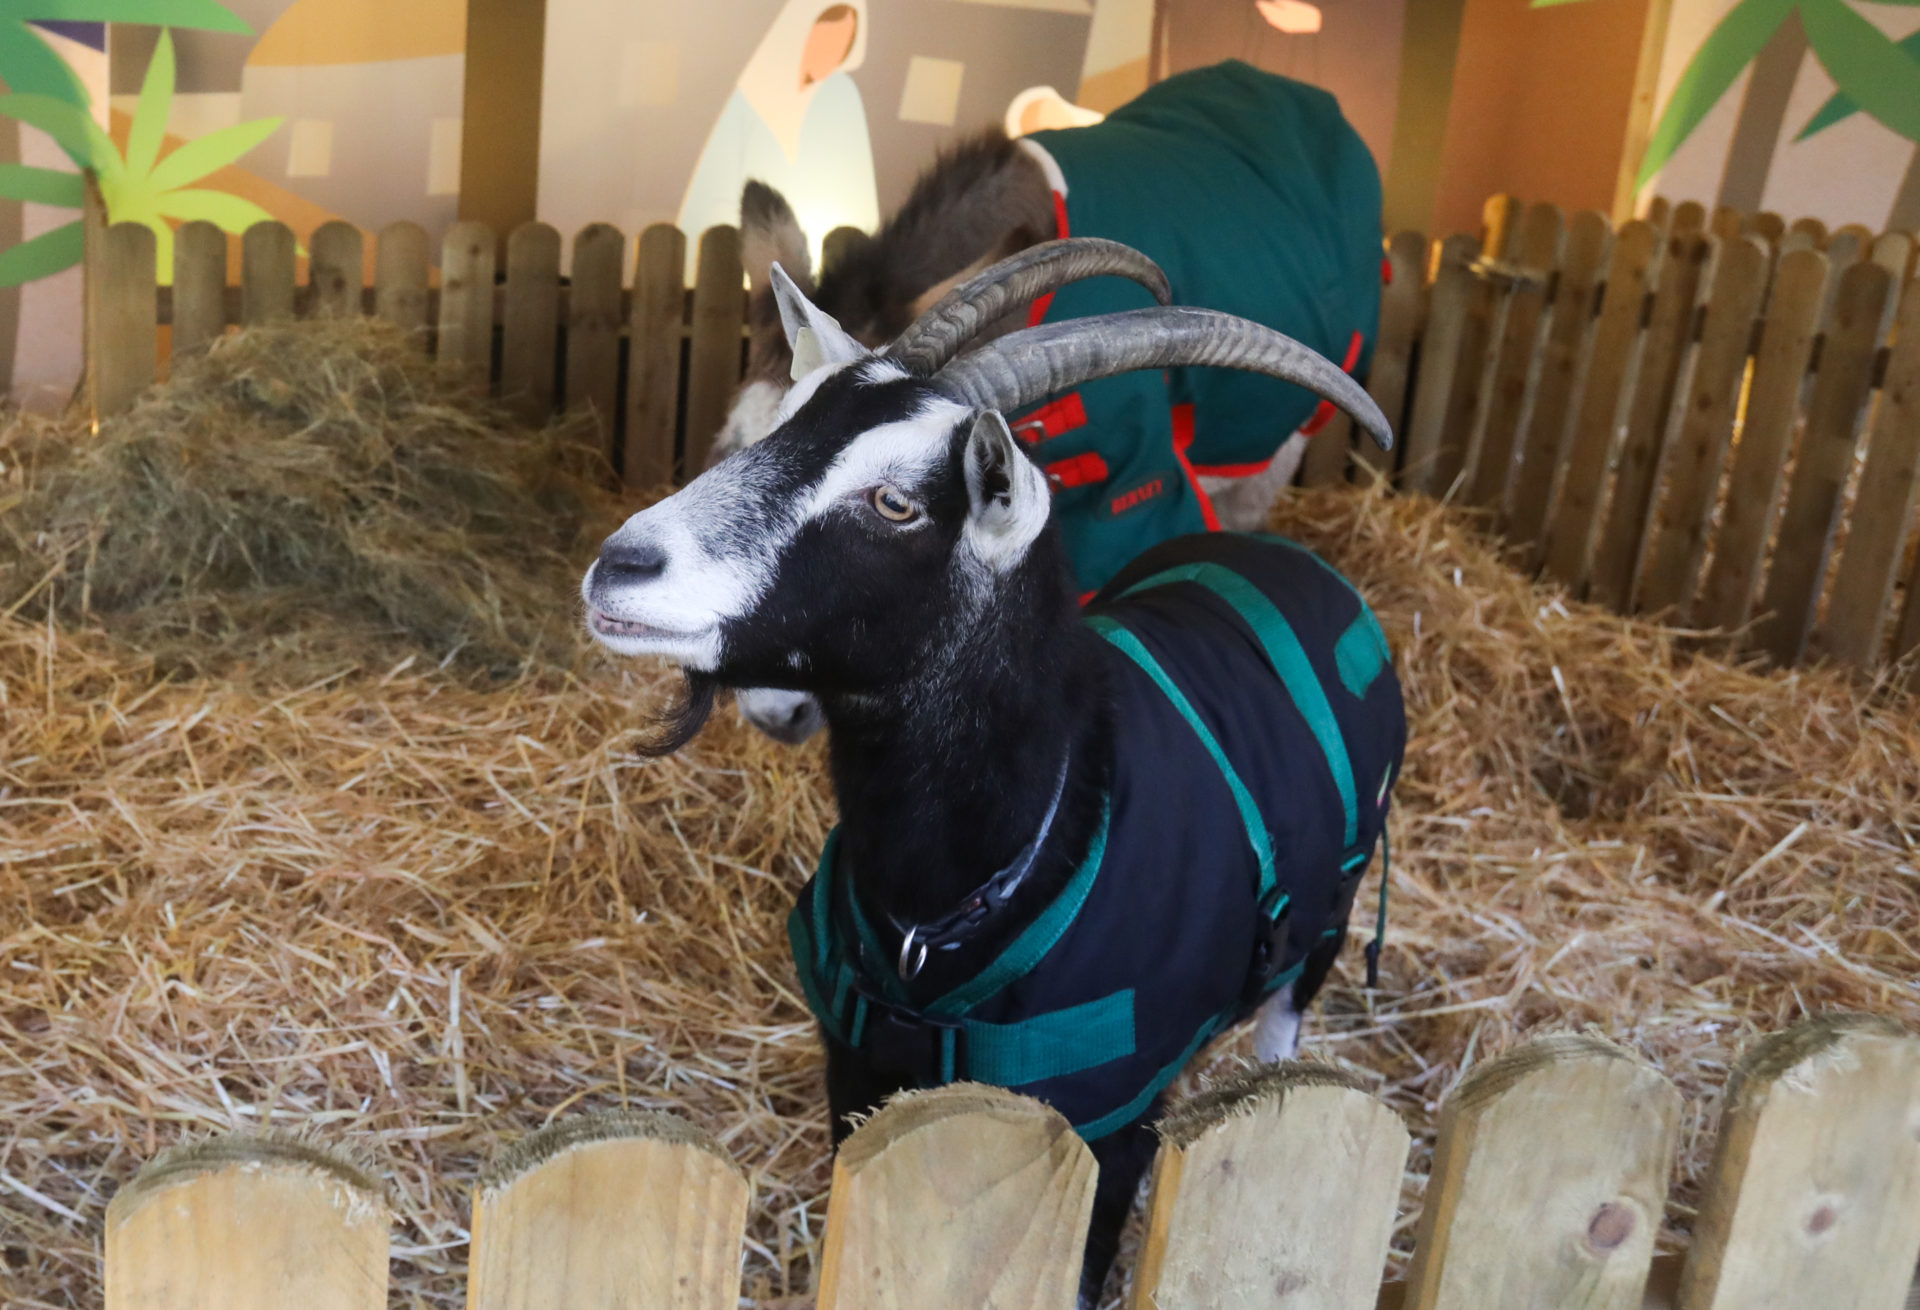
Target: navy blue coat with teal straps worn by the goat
(1260, 733)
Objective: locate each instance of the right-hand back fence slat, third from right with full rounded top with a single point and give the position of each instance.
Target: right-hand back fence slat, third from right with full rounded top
(1706, 412)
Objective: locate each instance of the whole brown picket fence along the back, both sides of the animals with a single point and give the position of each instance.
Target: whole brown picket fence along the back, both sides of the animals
(1687, 418)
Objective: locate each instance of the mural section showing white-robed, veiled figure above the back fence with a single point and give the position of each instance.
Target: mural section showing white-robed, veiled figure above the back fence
(658, 112)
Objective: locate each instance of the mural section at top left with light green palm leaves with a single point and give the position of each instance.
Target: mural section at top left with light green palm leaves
(218, 110)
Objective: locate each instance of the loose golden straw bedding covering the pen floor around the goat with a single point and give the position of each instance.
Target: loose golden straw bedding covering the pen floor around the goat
(412, 915)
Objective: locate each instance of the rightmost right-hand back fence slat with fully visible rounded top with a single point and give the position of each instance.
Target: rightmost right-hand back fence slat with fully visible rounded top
(1823, 464)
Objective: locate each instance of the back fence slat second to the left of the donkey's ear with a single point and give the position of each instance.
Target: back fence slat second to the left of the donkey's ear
(654, 356)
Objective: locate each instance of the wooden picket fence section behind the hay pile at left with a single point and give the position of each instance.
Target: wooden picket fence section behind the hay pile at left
(654, 364)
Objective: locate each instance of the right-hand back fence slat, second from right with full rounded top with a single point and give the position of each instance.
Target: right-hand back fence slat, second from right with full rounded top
(1794, 316)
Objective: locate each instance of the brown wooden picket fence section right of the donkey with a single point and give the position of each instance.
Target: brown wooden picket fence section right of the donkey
(1685, 418)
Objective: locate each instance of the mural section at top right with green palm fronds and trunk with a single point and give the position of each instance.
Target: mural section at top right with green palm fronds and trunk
(1804, 109)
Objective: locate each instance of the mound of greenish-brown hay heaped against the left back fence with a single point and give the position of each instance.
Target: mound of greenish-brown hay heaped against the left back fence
(304, 481)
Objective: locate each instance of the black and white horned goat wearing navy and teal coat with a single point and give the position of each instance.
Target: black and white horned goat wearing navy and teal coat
(1072, 844)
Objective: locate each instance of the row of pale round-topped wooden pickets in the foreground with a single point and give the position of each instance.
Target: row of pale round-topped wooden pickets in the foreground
(1278, 1188)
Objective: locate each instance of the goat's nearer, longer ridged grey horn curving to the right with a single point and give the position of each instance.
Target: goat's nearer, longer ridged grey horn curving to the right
(1034, 364)
